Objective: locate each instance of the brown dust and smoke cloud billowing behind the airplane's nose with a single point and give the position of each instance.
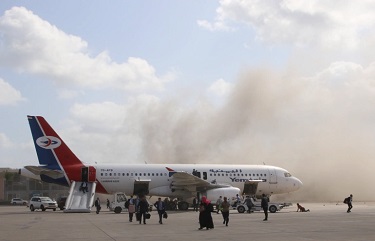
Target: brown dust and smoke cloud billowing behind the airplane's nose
(320, 130)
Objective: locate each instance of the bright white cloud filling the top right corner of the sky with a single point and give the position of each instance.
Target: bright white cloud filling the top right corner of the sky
(305, 23)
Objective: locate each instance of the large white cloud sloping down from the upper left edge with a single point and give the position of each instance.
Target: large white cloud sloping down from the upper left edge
(30, 44)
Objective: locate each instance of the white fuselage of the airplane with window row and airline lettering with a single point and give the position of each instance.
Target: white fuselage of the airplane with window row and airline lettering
(121, 178)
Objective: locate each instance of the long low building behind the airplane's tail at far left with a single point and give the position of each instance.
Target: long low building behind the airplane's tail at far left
(13, 185)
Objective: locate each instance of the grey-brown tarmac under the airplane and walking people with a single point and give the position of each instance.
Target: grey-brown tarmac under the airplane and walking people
(325, 221)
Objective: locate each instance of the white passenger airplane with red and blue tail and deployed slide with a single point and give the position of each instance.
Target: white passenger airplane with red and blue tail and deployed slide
(59, 165)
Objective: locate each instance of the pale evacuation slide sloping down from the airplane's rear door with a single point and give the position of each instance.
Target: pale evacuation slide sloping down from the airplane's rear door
(79, 201)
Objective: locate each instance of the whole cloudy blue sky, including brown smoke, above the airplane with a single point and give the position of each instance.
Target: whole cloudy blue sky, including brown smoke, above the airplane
(288, 83)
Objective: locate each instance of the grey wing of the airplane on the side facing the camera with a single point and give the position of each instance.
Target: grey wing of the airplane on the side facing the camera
(186, 181)
